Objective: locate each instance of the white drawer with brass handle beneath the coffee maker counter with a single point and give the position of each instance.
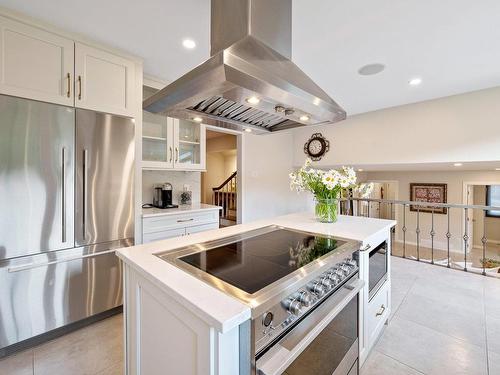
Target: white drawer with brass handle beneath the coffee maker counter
(156, 224)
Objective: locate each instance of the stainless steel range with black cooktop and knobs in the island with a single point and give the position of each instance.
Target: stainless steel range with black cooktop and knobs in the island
(302, 289)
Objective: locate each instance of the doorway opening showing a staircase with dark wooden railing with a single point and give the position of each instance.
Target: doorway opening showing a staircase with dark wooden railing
(219, 183)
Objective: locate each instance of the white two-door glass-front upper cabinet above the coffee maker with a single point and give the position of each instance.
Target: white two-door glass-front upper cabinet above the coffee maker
(169, 143)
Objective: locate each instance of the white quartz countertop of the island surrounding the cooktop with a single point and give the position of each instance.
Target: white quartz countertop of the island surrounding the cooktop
(218, 309)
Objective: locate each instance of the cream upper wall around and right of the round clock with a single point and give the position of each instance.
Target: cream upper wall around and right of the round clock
(457, 128)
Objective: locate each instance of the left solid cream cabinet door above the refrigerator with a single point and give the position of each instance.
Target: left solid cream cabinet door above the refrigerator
(35, 64)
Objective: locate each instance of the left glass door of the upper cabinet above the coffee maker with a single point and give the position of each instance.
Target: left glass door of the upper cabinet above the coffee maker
(157, 138)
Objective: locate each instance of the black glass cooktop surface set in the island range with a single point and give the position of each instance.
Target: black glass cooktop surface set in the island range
(253, 263)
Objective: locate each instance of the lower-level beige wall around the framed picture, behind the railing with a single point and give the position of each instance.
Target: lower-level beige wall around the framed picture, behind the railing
(455, 193)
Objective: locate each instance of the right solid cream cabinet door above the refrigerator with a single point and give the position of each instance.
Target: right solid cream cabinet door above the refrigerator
(104, 82)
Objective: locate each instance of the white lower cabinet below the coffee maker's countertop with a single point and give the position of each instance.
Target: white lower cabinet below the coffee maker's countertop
(161, 227)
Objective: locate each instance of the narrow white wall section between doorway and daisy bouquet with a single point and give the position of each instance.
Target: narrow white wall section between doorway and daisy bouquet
(266, 164)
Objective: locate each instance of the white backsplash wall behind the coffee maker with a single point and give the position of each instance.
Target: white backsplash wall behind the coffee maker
(177, 178)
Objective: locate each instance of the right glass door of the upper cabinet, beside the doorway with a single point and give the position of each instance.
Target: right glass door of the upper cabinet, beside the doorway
(189, 142)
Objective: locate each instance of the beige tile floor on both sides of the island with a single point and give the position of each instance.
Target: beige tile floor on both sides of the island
(443, 322)
